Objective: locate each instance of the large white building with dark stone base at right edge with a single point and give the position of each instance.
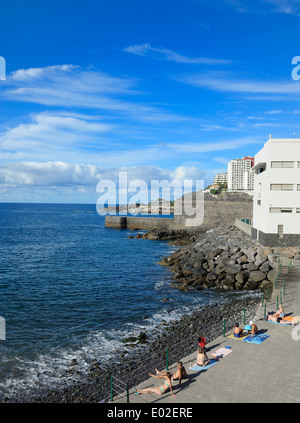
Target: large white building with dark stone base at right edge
(276, 200)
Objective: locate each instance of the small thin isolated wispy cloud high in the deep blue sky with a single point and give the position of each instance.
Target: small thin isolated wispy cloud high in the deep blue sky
(166, 54)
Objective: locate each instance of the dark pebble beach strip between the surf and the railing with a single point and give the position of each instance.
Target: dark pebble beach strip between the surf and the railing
(174, 340)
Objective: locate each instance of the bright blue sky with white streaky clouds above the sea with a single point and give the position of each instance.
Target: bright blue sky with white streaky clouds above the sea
(161, 89)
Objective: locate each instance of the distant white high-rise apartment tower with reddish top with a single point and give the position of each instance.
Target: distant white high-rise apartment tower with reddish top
(240, 176)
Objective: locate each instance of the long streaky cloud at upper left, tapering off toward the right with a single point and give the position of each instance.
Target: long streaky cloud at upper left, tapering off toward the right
(81, 88)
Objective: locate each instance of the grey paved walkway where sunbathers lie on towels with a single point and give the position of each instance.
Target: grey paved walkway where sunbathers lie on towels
(264, 373)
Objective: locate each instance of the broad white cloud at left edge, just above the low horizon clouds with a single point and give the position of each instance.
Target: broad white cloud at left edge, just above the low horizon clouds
(49, 136)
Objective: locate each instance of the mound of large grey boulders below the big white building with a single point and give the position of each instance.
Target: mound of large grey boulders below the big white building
(226, 258)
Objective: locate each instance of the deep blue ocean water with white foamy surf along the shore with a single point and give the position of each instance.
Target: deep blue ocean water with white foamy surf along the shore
(71, 288)
